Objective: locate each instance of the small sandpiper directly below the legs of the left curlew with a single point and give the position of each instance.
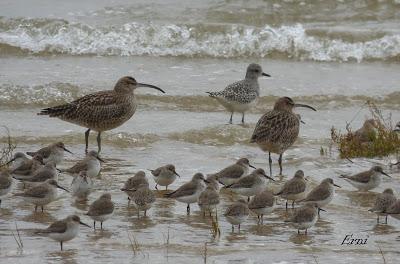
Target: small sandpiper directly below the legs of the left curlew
(91, 164)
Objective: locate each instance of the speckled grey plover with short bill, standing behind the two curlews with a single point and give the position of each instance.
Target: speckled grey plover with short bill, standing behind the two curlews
(242, 95)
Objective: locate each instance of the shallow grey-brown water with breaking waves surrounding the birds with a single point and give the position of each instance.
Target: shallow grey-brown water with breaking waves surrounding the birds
(44, 62)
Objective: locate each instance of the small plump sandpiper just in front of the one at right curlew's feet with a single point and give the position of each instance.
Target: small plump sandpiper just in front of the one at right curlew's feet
(261, 204)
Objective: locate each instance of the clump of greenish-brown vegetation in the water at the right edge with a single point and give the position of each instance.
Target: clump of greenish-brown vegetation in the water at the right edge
(376, 138)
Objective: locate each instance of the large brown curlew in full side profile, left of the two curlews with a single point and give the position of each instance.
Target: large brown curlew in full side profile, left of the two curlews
(101, 111)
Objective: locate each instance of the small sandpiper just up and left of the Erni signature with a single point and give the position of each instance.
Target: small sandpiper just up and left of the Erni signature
(305, 217)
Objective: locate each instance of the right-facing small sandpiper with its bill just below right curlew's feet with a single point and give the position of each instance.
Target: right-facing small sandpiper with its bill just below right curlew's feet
(251, 184)
